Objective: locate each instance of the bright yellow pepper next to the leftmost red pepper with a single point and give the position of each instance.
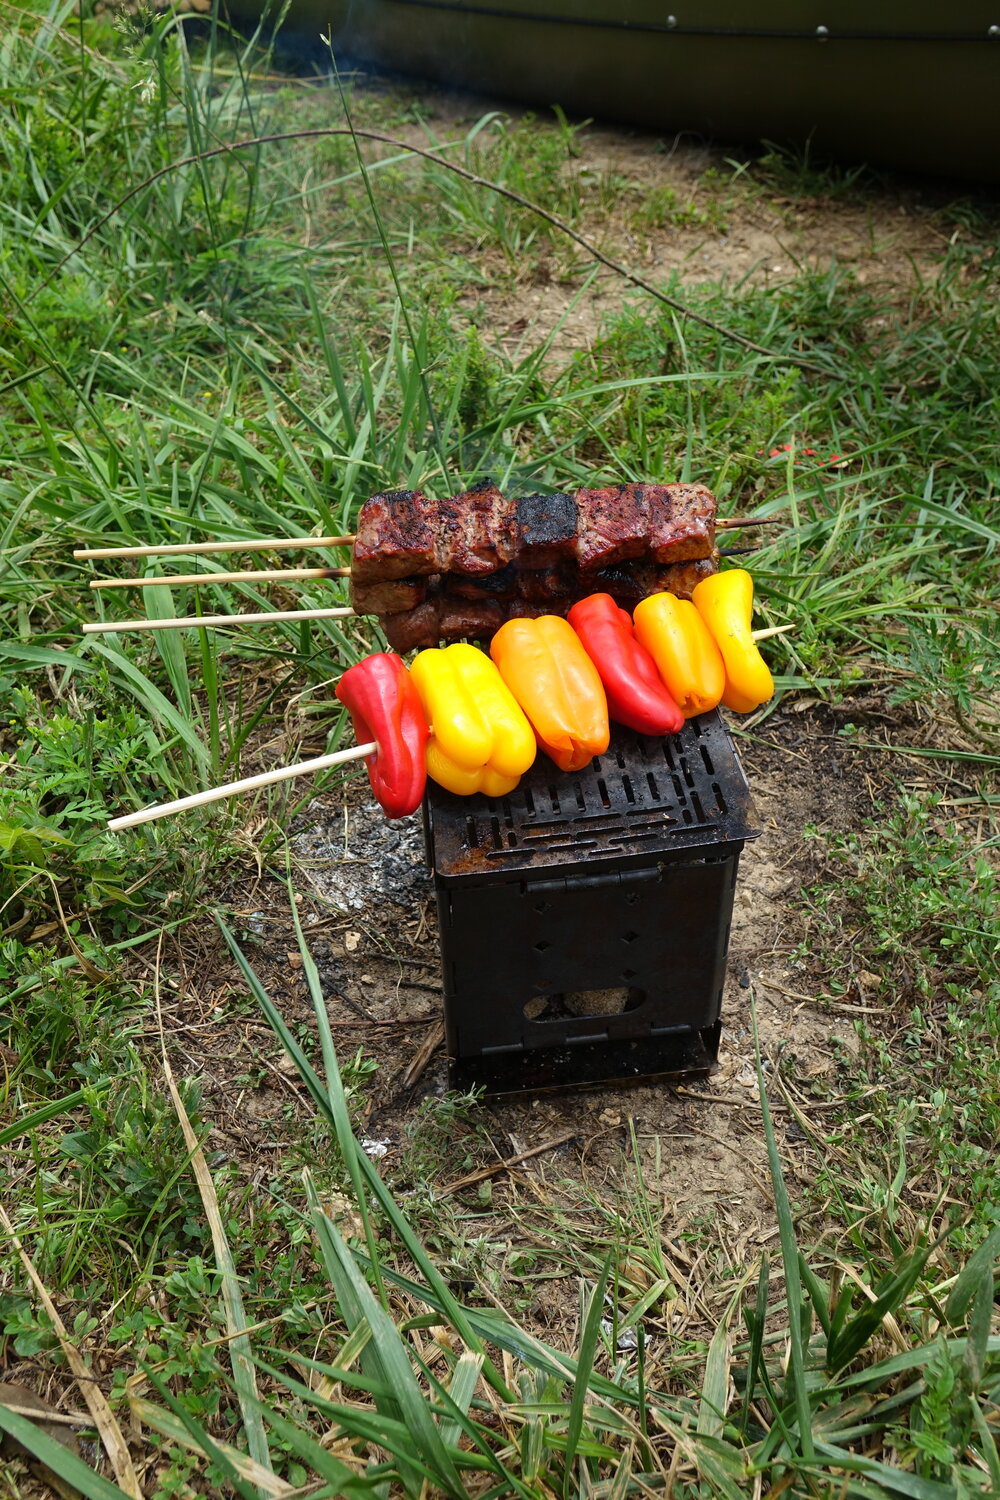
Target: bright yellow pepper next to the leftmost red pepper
(481, 740)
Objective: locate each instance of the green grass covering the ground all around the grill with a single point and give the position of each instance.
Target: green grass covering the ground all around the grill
(247, 347)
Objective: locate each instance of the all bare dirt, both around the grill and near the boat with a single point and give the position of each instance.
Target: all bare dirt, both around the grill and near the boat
(367, 898)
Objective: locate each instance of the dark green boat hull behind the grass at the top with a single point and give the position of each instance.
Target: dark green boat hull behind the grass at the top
(905, 85)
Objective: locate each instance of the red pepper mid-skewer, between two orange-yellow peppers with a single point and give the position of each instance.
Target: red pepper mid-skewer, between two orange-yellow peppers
(636, 694)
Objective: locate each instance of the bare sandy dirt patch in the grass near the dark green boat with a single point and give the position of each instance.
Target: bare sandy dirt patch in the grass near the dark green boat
(891, 239)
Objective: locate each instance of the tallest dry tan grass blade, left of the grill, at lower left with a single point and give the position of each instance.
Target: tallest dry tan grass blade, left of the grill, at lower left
(244, 1372)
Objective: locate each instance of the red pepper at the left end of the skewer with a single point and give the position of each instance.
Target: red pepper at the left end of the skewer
(385, 707)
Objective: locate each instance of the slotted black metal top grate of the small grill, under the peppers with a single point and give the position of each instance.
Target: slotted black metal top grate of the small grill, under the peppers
(645, 797)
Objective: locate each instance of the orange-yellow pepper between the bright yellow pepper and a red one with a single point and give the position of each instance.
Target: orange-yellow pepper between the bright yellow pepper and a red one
(554, 680)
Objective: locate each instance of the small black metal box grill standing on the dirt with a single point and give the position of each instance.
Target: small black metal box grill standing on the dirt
(585, 919)
